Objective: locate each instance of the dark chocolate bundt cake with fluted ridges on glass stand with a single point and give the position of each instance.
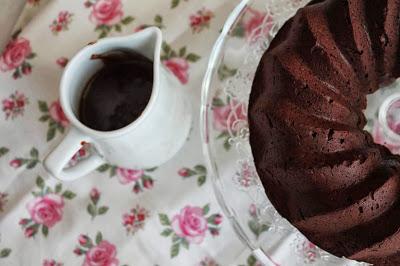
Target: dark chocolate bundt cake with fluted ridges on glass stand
(320, 169)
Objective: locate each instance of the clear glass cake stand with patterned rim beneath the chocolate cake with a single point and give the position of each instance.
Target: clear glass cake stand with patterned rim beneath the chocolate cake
(226, 88)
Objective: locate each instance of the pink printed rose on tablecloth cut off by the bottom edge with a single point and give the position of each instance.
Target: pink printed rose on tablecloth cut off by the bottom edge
(98, 252)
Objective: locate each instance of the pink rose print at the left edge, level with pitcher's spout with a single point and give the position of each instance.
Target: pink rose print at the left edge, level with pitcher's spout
(16, 57)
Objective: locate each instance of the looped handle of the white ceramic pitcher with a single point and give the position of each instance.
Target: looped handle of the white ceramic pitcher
(61, 155)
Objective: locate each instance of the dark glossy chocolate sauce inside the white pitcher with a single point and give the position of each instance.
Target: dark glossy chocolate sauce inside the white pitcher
(118, 93)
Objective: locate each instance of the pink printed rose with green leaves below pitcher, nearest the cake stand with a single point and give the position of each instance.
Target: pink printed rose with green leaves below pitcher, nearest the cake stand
(190, 226)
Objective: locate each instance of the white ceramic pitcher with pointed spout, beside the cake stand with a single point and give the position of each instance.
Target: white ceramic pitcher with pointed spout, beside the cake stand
(149, 141)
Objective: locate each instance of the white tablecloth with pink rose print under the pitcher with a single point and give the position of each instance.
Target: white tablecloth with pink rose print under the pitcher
(162, 216)
